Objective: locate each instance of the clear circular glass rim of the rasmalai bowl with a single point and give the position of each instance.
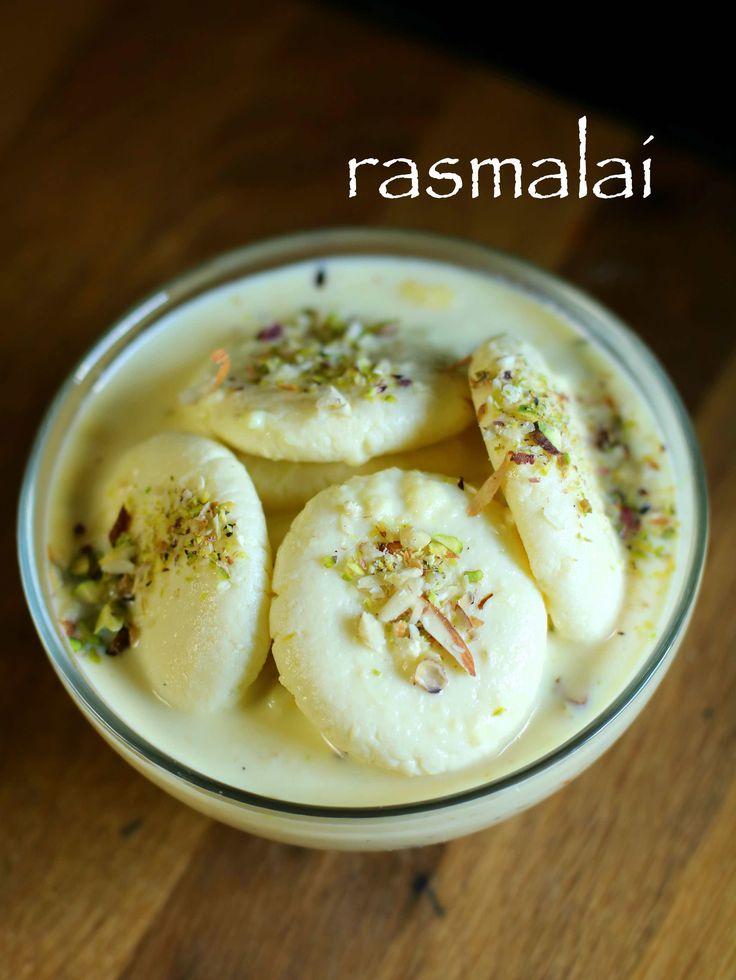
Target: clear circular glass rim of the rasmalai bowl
(323, 243)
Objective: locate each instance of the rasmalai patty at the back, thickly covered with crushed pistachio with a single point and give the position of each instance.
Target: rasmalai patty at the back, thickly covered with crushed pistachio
(321, 389)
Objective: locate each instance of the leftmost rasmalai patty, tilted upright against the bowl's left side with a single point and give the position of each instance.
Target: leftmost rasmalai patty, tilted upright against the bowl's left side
(198, 541)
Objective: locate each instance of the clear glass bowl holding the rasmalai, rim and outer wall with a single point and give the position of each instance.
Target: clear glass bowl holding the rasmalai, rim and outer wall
(391, 826)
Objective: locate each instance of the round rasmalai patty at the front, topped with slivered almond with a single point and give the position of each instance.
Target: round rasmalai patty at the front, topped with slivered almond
(365, 577)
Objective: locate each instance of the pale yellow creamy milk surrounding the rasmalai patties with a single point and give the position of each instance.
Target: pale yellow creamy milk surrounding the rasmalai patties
(265, 745)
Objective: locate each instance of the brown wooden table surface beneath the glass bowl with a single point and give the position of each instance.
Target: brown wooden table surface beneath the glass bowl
(137, 139)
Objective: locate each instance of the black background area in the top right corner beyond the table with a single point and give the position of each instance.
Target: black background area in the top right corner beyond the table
(670, 73)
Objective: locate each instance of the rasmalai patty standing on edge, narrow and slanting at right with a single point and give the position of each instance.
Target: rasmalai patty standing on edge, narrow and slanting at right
(530, 428)
